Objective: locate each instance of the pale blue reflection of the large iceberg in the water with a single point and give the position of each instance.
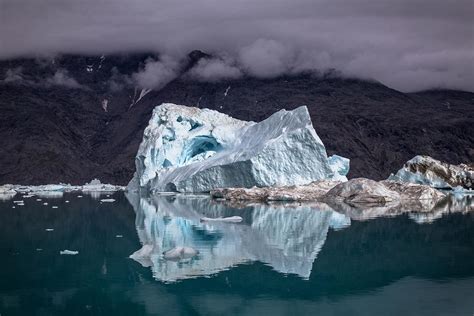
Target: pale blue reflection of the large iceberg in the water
(286, 238)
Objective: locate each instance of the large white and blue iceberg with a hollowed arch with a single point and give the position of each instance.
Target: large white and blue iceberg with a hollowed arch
(188, 149)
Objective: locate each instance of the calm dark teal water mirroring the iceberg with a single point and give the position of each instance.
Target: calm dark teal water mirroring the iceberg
(281, 260)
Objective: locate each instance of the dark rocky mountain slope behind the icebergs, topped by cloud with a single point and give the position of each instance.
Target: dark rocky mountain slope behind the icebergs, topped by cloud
(74, 118)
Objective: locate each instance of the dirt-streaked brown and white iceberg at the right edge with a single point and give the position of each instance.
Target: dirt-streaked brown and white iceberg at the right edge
(437, 174)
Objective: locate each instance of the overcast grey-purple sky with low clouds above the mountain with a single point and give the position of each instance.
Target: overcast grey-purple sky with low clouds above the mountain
(406, 44)
